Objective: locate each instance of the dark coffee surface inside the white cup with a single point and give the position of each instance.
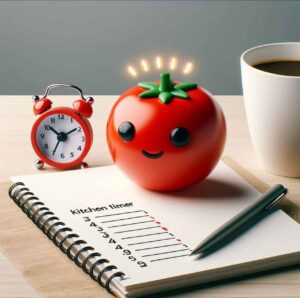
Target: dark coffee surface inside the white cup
(282, 67)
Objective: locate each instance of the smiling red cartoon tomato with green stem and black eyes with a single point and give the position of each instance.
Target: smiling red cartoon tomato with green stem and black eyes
(166, 136)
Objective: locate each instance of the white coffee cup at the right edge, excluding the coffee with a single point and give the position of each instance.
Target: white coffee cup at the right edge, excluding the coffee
(272, 104)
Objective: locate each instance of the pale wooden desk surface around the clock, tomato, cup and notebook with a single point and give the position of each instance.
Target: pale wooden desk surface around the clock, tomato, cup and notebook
(17, 157)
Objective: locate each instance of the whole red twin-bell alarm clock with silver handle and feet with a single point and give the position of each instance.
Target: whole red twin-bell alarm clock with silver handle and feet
(62, 136)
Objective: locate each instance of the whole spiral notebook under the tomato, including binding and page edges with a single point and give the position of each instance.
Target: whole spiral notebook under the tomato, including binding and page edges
(135, 242)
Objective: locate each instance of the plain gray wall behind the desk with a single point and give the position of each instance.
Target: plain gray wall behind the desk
(89, 43)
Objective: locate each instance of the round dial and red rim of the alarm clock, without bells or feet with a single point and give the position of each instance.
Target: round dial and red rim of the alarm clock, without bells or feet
(61, 138)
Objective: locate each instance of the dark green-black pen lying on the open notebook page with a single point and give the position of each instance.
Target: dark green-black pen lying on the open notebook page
(219, 237)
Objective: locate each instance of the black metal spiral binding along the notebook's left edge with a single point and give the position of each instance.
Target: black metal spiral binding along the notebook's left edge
(26, 200)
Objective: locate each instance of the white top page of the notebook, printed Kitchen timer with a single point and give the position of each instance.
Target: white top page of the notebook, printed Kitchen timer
(149, 235)
